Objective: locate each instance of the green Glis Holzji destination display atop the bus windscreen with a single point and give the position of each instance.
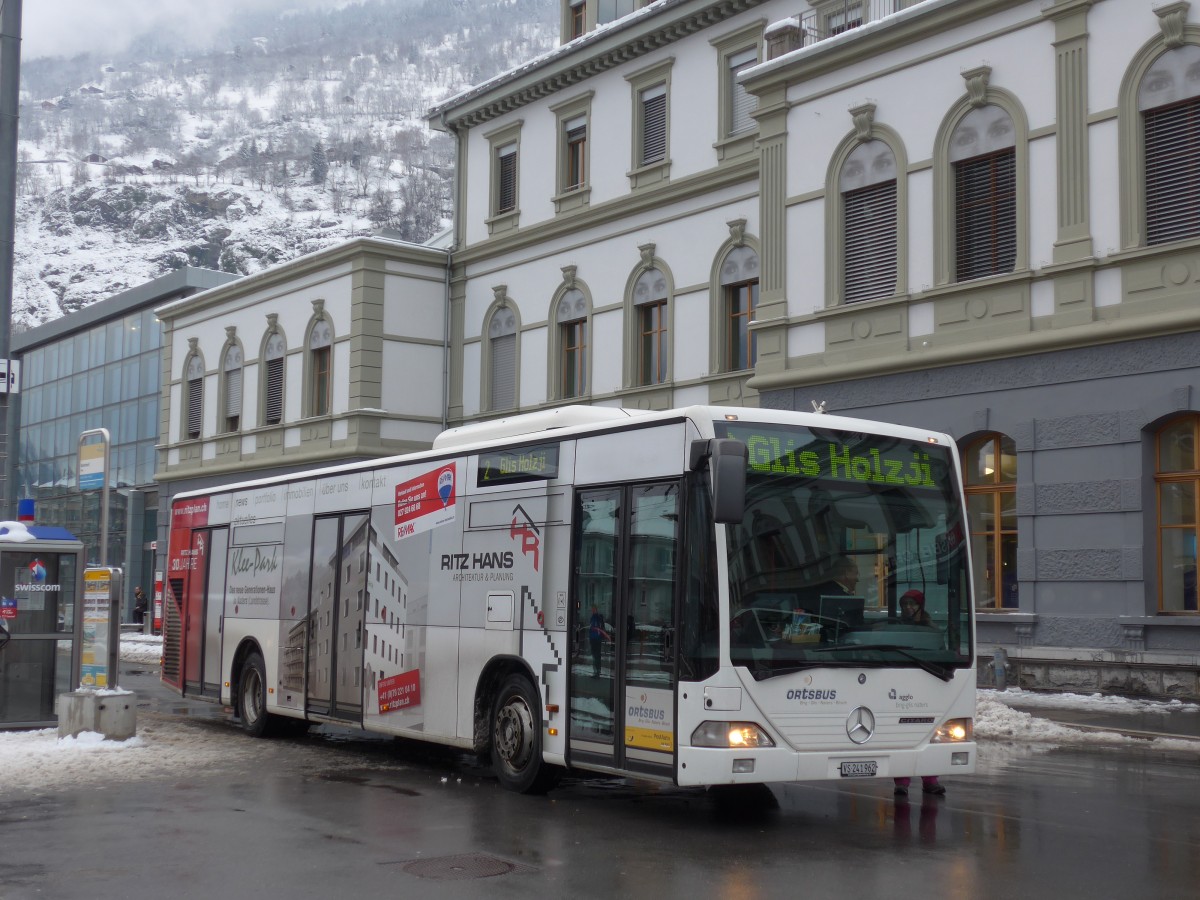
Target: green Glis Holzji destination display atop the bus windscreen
(865, 459)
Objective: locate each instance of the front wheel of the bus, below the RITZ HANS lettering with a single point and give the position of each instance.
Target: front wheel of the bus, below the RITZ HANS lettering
(517, 740)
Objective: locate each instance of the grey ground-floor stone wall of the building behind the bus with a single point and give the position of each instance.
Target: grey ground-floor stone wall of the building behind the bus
(1083, 422)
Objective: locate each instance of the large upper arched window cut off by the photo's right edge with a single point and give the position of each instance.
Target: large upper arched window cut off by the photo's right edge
(1169, 105)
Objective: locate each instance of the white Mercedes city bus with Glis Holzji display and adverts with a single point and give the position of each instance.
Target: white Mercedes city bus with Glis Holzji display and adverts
(701, 597)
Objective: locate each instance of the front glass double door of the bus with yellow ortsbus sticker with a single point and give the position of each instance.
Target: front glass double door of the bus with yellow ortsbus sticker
(623, 653)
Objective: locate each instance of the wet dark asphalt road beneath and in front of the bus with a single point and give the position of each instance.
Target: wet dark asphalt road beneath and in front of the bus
(338, 817)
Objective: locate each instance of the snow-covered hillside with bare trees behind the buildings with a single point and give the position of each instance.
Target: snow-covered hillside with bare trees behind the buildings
(290, 134)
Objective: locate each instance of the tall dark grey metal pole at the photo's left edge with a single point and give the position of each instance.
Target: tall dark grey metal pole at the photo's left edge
(10, 105)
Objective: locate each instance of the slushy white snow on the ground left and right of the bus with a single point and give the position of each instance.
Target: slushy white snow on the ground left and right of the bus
(176, 747)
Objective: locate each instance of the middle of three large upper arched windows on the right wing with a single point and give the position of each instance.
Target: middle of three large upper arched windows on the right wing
(983, 157)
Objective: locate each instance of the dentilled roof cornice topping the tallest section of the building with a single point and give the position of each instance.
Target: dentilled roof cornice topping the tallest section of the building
(628, 39)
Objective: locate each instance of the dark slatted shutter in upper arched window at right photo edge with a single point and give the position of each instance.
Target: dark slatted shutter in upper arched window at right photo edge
(1173, 172)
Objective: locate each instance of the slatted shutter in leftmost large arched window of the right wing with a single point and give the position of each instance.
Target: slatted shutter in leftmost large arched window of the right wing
(871, 243)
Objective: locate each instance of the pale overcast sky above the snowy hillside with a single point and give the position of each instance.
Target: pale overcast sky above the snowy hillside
(64, 28)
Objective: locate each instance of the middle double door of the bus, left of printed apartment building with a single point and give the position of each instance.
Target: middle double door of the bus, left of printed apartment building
(337, 610)
